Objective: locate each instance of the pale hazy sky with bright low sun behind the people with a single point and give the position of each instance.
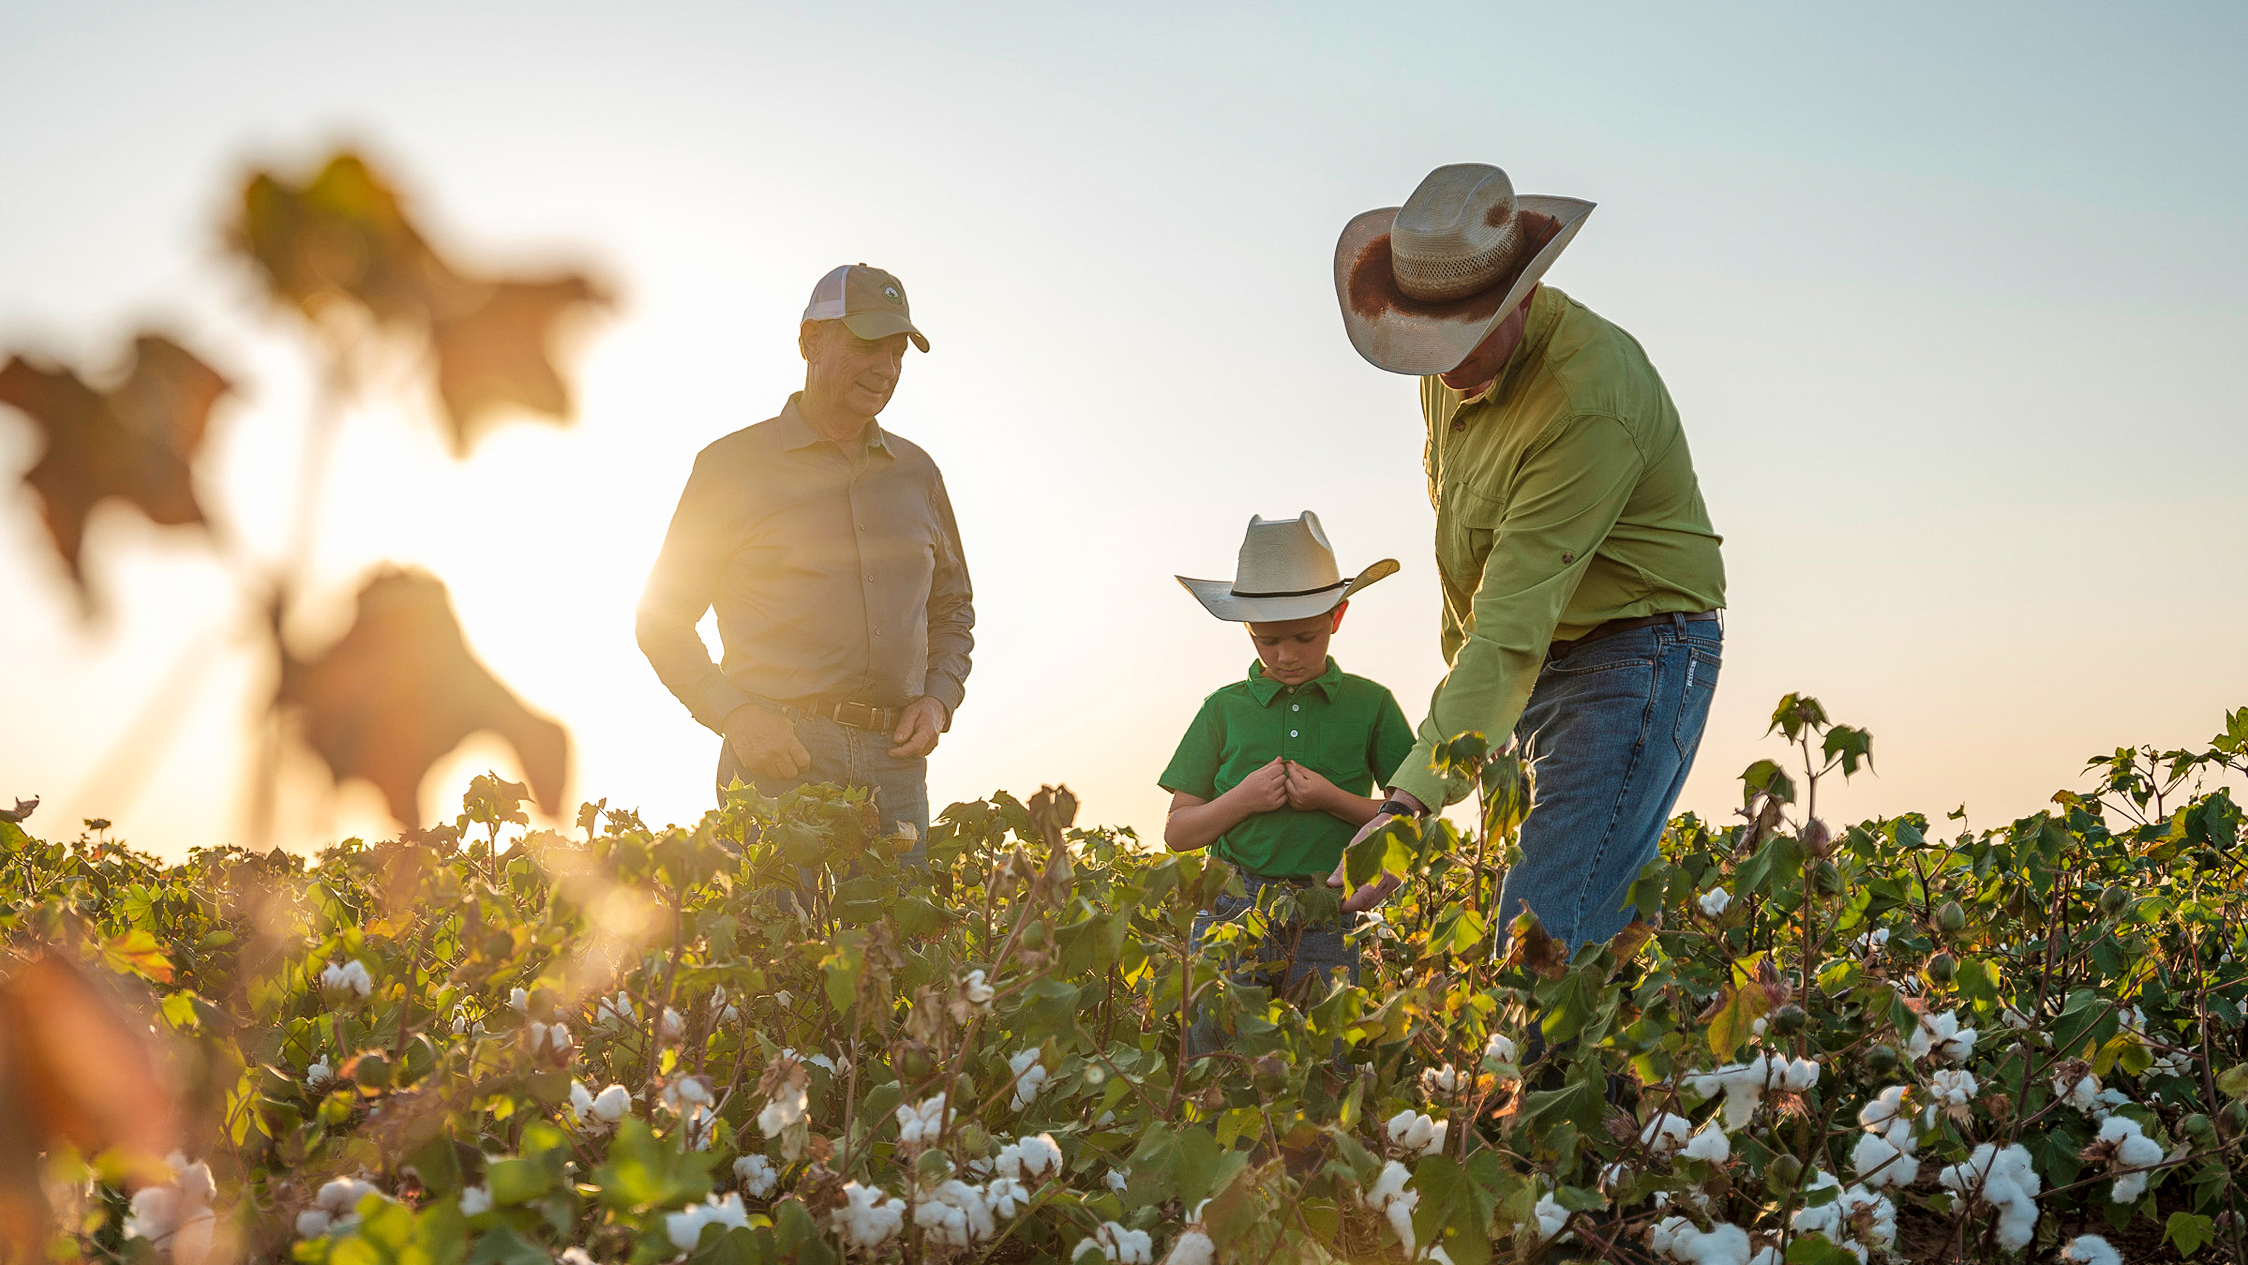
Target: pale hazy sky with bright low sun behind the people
(1950, 302)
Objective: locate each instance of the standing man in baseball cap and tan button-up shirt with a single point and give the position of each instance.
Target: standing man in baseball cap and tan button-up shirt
(831, 554)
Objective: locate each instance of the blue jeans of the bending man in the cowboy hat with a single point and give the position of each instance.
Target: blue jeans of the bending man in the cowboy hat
(1611, 734)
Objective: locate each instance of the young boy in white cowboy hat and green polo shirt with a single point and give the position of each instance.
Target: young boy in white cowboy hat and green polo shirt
(1276, 772)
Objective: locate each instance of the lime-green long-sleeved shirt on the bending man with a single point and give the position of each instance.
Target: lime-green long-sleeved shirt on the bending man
(1566, 498)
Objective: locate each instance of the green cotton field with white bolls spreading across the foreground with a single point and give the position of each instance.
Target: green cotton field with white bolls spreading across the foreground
(761, 1039)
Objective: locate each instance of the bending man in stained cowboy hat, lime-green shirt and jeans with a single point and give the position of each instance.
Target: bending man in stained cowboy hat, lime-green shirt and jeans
(1581, 576)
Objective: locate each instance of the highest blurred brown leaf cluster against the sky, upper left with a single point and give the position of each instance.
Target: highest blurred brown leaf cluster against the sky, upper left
(345, 242)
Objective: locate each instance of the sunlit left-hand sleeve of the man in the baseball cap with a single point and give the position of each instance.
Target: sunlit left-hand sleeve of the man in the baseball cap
(680, 590)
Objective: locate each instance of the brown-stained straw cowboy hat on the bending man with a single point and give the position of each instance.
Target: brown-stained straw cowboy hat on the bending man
(1422, 284)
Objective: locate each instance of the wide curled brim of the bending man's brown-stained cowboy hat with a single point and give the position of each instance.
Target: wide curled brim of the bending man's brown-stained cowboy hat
(1406, 336)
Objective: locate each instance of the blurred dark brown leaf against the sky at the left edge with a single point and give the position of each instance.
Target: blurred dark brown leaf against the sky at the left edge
(134, 442)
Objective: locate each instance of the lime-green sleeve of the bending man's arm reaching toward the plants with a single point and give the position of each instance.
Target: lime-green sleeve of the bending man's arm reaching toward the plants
(1561, 504)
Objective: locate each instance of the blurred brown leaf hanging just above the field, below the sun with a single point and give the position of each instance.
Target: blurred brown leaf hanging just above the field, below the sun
(401, 689)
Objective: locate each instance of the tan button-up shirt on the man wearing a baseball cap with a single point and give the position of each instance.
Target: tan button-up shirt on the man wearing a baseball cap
(837, 574)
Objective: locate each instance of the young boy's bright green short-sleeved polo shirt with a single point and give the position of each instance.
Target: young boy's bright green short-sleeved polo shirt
(1341, 727)
